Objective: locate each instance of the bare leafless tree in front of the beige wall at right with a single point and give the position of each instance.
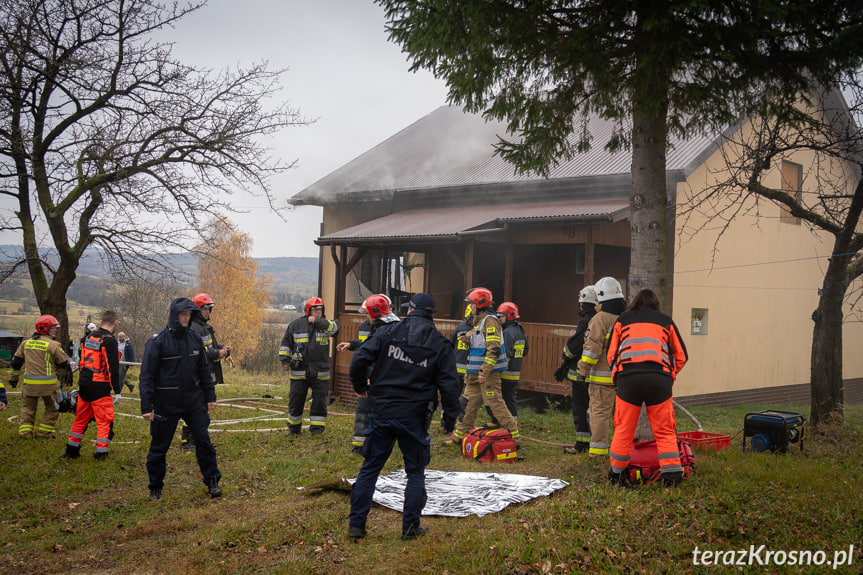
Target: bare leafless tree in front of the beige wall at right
(826, 128)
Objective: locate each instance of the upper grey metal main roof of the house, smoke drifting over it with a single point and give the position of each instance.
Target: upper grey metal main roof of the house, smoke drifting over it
(450, 148)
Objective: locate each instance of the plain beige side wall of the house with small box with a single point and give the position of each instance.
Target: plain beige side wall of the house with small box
(760, 294)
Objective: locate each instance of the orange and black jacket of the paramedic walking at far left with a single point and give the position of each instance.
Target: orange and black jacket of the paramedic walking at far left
(99, 366)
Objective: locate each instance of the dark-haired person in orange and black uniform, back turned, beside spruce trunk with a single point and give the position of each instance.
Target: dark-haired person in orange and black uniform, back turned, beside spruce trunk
(646, 352)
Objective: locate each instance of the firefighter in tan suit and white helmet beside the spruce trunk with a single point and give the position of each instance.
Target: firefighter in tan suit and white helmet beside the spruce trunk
(593, 365)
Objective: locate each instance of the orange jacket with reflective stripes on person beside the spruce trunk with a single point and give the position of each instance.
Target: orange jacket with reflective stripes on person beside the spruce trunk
(646, 341)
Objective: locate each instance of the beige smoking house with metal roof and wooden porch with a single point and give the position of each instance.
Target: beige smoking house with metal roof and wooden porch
(433, 209)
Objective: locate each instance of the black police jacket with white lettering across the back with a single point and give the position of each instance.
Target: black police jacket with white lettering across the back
(413, 362)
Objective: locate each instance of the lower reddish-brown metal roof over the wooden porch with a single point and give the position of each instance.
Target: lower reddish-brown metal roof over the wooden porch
(454, 222)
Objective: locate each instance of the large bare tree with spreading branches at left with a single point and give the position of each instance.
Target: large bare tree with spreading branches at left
(107, 141)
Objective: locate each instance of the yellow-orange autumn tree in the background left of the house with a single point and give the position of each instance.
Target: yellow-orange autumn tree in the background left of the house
(226, 271)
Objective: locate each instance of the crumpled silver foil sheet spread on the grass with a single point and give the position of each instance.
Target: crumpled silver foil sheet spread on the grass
(461, 493)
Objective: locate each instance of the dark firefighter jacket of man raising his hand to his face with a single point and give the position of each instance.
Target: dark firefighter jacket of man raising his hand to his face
(306, 346)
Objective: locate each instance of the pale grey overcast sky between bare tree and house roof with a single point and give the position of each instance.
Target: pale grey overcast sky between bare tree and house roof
(342, 71)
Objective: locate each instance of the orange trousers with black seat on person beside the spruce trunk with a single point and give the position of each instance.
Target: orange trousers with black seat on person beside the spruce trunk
(654, 390)
